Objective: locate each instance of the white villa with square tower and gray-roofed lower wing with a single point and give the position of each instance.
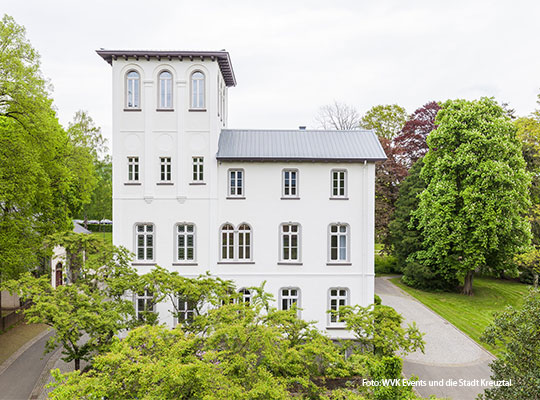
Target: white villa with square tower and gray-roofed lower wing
(294, 208)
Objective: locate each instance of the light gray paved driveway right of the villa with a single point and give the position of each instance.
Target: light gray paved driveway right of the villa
(449, 353)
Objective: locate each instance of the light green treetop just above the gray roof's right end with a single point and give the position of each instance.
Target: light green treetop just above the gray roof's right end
(386, 120)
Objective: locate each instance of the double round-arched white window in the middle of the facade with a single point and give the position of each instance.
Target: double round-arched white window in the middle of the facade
(236, 243)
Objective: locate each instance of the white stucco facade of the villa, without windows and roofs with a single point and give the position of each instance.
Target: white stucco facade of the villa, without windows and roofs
(181, 133)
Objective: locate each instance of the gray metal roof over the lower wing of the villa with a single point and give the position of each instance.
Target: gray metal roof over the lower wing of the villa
(299, 145)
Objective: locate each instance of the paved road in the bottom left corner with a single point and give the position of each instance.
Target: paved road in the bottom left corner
(18, 380)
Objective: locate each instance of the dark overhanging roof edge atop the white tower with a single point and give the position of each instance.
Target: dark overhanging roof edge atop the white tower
(222, 57)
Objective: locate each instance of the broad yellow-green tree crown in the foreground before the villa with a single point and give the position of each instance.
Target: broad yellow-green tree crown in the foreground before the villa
(231, 350)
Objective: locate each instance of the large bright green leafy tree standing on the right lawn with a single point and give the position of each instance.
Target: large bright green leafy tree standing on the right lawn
(472, 211)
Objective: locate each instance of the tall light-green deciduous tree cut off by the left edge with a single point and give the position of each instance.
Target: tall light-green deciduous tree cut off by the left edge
(37, 187)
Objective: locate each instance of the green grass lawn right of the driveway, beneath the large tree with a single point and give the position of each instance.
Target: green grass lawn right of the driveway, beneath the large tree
(472, 314)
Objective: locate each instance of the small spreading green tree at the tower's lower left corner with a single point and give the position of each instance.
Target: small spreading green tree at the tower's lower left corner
(87, 314)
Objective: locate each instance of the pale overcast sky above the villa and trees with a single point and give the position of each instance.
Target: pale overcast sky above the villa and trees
(292, 57)
